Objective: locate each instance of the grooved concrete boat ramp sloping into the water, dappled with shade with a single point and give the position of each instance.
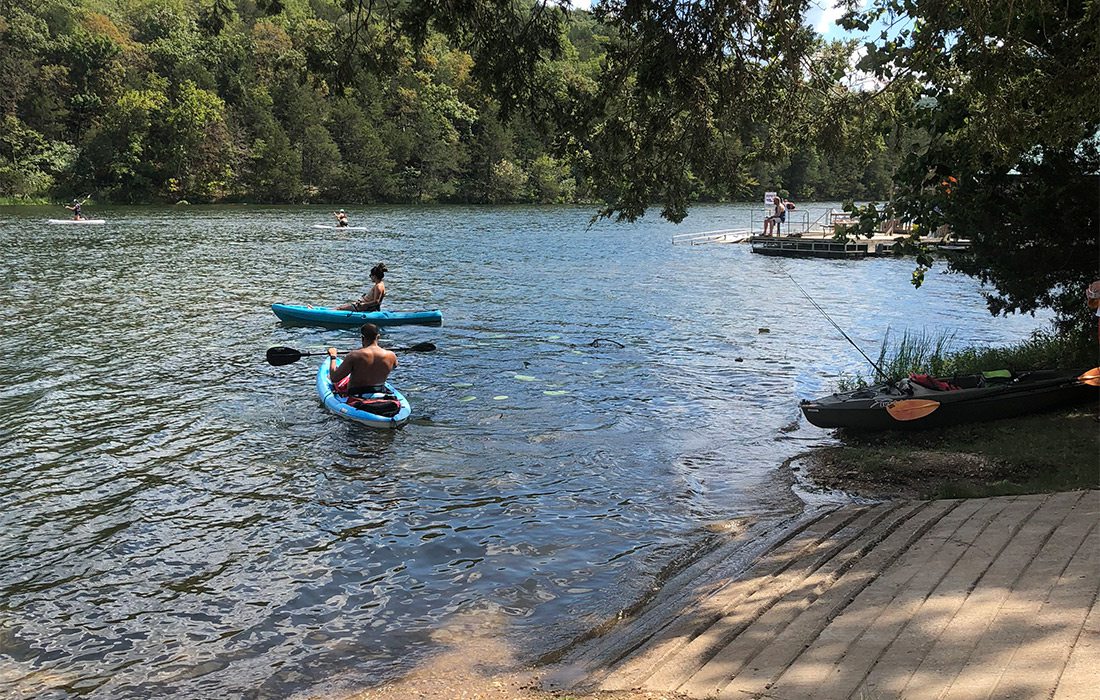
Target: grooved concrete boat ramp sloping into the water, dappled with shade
(984, 598)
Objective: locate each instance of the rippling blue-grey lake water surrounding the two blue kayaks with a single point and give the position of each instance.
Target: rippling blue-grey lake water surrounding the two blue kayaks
(182, 520)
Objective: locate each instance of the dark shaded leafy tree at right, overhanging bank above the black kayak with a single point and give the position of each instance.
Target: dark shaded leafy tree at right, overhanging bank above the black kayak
(1006, 95)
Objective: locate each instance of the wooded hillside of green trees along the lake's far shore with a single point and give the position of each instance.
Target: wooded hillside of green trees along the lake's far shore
(301, 102)
